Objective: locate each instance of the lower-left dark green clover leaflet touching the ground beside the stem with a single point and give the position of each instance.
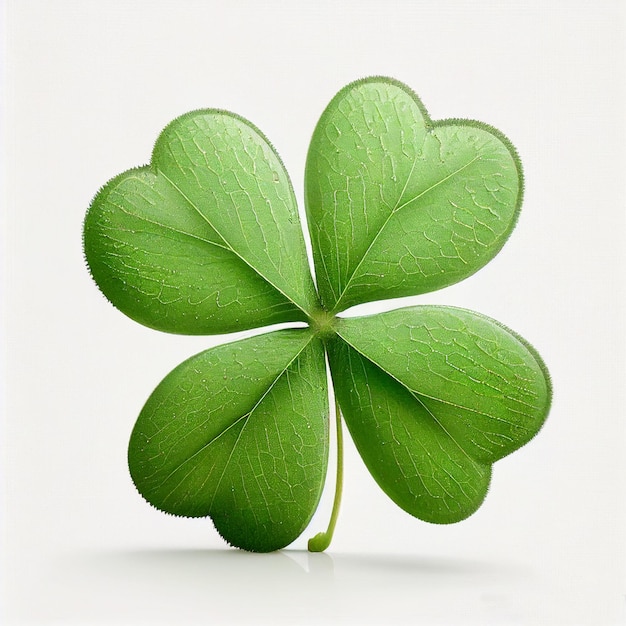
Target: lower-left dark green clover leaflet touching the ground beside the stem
(239, 432)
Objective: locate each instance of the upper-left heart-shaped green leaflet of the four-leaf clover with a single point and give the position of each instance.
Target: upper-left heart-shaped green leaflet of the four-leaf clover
(206, 239)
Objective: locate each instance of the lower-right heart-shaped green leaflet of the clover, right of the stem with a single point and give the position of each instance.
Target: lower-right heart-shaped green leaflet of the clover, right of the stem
(432, 396)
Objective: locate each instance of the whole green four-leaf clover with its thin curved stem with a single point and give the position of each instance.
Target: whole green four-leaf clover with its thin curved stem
(207, 239)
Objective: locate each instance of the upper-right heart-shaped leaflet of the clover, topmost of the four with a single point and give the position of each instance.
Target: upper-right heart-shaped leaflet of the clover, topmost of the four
(399, 205)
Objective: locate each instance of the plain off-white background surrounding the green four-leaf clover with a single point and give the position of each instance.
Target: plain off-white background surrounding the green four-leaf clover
(88, 86)
